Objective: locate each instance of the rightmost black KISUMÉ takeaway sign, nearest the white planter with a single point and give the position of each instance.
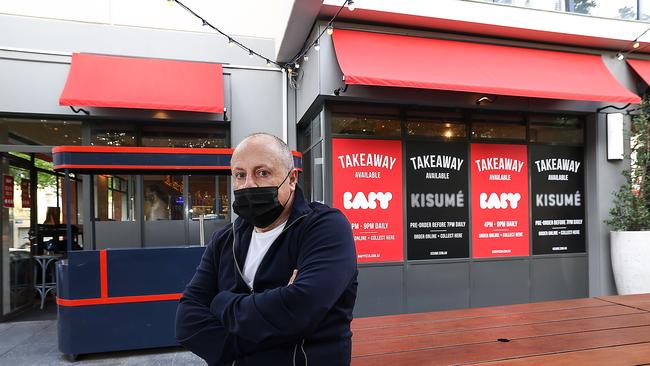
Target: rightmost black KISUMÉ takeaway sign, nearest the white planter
(557, 189)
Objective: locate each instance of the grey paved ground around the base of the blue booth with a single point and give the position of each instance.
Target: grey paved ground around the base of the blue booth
(27, 342)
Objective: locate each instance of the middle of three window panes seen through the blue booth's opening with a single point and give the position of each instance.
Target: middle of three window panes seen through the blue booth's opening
(163, 197)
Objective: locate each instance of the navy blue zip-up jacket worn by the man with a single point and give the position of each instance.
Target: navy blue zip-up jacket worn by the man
(221, 319)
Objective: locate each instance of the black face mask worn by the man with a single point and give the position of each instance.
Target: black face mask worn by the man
(259, 205)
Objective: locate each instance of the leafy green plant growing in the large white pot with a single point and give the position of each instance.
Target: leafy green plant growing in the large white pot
(631, 210)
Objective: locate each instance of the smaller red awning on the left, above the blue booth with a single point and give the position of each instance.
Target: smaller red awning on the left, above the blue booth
(130, 82)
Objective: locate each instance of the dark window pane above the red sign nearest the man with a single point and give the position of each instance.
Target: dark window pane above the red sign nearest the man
(366, 125)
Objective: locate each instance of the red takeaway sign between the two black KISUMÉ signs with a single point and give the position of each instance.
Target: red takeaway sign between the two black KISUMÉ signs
(499, 200)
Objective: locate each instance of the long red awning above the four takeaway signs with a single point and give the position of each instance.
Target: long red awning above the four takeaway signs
(403, 61)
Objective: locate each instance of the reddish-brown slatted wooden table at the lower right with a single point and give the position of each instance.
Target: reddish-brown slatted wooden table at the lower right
(611, 330)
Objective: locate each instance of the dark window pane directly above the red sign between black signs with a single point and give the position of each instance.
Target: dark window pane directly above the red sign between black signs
(498, 126)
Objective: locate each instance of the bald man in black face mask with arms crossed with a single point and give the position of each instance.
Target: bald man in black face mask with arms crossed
(277, 287)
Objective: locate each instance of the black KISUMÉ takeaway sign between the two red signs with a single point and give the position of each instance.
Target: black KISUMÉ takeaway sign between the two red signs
(437, 200)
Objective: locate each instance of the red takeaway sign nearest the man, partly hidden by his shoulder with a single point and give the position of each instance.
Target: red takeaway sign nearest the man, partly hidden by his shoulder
(367, 186)
